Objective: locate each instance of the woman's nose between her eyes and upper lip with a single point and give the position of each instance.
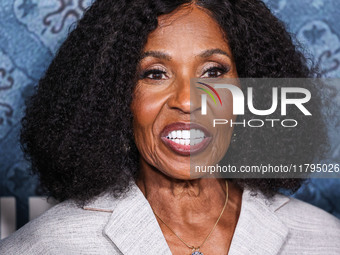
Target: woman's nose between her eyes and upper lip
(184, 96)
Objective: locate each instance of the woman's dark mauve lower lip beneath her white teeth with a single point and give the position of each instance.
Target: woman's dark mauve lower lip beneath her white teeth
(187, 150)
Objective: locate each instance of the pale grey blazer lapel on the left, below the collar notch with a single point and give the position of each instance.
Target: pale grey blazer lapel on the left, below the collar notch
(133, 227)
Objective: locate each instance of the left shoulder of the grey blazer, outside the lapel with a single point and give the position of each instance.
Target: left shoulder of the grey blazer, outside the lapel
(62, 229)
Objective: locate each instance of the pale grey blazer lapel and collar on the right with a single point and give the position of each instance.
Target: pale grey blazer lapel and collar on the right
(259, 230)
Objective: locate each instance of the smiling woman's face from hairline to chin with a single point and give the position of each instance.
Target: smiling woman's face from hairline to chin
(187, 44)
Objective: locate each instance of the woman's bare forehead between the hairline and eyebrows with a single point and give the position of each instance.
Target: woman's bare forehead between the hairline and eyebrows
(187, 25)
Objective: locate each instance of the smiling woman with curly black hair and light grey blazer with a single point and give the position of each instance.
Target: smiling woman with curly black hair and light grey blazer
(98, 133)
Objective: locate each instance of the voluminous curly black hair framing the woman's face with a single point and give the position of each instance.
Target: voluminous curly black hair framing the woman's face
(77, 131)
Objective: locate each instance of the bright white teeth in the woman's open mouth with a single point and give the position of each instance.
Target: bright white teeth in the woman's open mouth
(186, 137)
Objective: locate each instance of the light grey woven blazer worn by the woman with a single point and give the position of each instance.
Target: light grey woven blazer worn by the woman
(128, 226)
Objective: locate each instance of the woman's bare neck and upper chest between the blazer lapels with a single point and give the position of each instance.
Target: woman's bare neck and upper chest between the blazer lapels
(191, 208)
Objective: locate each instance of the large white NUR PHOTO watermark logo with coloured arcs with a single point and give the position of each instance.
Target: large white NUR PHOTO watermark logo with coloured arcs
(277, 97)
